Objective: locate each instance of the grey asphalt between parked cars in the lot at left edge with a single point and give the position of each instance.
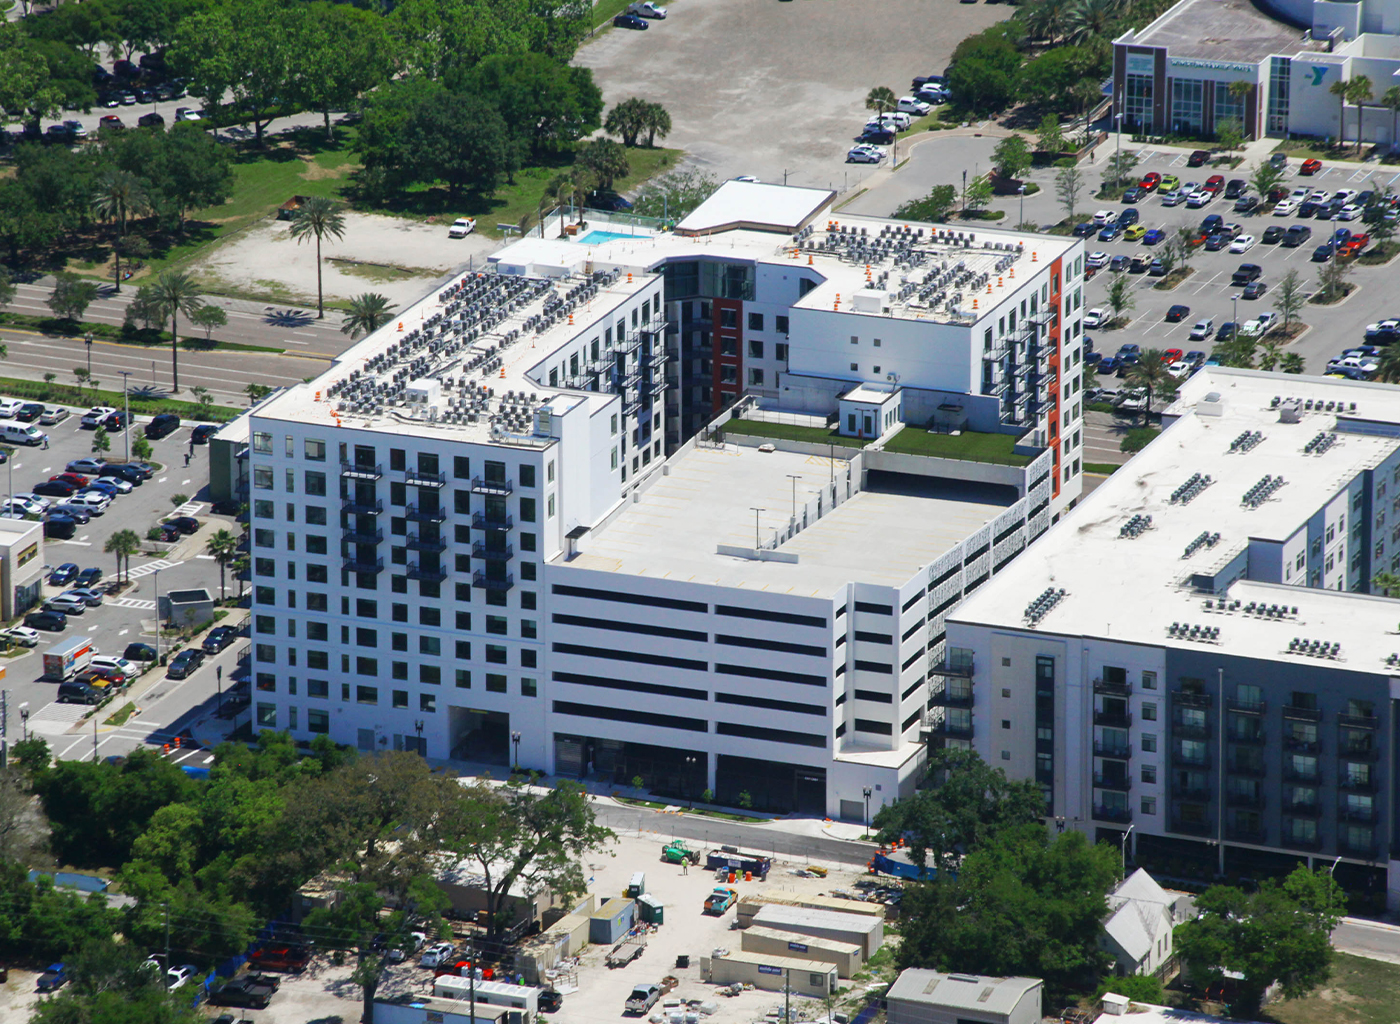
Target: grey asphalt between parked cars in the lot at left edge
(129, 617)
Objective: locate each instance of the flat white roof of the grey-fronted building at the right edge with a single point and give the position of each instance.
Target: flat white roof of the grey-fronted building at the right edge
(1133, 589)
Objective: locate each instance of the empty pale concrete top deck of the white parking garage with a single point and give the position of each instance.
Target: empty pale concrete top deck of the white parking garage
(709, 499)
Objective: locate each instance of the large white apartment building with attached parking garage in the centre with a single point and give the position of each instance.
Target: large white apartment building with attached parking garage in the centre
(471, 536)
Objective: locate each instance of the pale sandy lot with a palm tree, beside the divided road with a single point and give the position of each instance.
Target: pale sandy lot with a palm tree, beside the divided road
(397, 258)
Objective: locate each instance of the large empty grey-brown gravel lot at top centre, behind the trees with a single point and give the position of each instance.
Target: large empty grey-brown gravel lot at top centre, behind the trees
(766, 88)
